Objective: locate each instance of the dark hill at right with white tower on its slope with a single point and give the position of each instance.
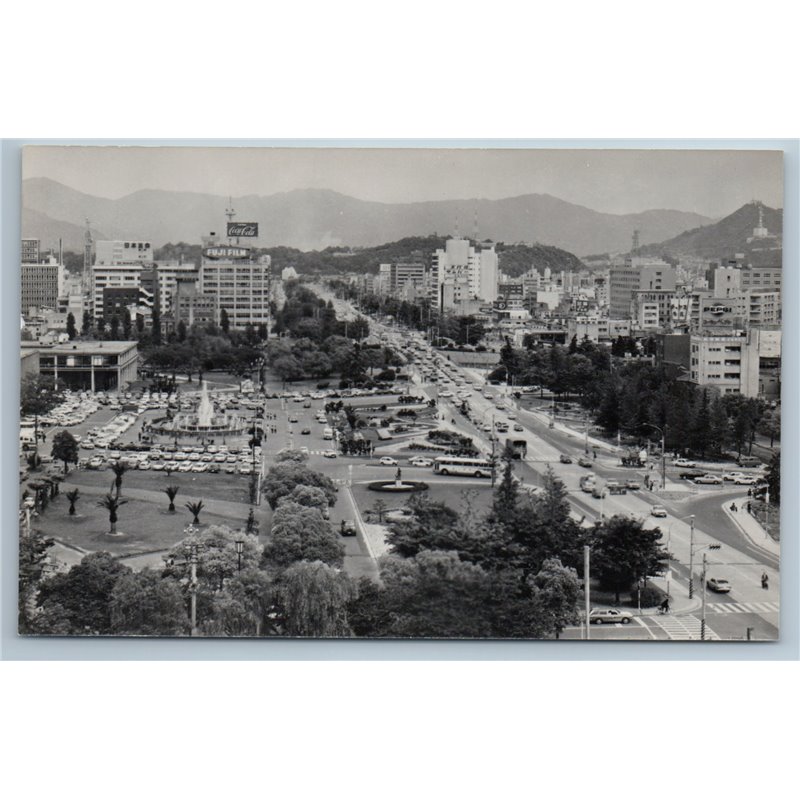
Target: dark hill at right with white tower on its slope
(728, 236)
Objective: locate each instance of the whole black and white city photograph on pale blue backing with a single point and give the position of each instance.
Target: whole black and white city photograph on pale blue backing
(400, 393)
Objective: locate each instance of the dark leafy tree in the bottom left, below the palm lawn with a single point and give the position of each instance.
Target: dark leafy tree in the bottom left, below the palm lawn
(83, 594)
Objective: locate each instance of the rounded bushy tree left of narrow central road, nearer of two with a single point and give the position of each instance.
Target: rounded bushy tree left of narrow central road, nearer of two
(300, 533)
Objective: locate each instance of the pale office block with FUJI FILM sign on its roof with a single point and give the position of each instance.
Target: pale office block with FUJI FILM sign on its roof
(240, 282)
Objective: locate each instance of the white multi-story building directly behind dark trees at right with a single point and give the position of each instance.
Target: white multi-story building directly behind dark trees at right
(729, 363)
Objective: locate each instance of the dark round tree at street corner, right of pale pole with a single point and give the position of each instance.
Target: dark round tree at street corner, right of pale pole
(623, 552)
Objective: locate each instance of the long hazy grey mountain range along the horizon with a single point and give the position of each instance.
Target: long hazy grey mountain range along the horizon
(312, 219)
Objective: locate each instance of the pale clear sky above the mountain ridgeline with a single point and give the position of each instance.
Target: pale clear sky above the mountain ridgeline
(710, 182)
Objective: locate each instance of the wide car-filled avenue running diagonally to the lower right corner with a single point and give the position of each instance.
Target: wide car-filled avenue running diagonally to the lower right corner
(748, 609)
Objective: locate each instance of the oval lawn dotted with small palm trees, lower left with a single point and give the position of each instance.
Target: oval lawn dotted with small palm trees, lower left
(145, 526)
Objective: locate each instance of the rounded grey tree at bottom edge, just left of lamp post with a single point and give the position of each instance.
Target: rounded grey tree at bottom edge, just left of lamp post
(146, 604)
